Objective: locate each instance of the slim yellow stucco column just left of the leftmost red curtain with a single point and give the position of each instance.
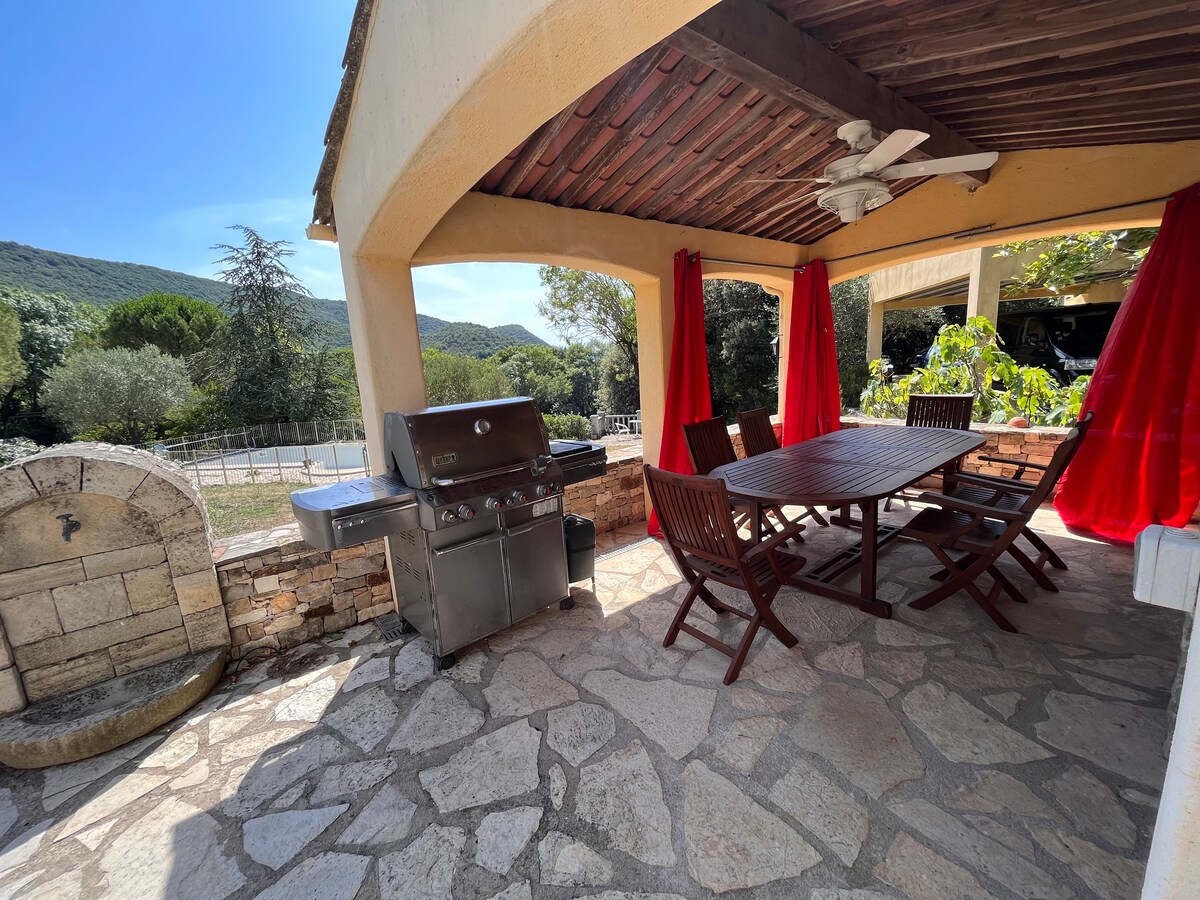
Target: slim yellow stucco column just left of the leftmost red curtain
(656, 321)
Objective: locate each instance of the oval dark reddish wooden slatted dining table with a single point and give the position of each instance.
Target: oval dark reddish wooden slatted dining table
(855, 467)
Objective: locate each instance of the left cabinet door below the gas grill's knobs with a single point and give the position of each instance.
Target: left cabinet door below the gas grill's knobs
(469, 590)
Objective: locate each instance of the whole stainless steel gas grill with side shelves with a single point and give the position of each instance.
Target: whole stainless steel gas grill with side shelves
(472, 508)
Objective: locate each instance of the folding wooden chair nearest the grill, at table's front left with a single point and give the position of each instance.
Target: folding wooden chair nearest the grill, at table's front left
(698, 523)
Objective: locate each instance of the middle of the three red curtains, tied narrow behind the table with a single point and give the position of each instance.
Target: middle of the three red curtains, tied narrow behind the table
(812, 397)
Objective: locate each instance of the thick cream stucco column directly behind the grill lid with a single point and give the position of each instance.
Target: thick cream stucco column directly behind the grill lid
(387, 346)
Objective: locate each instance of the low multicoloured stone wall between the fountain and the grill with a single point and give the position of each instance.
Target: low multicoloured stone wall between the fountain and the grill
(280, 592)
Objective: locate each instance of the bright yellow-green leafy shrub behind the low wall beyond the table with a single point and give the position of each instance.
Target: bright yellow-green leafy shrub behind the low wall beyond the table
(968, 359)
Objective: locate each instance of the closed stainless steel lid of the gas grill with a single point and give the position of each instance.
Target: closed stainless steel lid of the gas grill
(440, 446)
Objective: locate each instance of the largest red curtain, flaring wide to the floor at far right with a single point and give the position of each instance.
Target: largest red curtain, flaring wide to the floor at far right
(1141, 464)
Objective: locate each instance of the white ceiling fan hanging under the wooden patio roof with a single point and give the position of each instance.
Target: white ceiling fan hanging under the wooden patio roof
(859, 183)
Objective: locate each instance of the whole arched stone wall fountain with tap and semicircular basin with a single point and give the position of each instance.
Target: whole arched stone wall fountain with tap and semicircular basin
(111, 616)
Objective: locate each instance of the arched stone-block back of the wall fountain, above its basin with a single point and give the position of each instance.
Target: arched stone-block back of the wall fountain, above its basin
(133, 589)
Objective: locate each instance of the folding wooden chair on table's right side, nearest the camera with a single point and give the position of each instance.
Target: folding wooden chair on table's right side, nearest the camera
(985, 533)
